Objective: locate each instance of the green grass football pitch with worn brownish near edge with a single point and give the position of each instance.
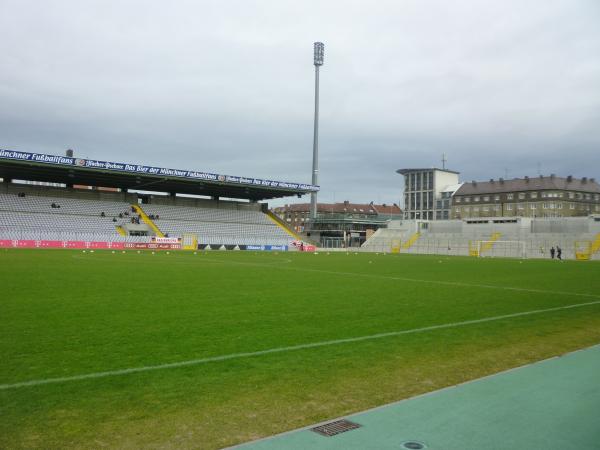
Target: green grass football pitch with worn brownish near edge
(66, 313)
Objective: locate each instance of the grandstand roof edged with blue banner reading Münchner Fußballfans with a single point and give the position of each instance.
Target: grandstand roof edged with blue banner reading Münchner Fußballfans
(69, 170)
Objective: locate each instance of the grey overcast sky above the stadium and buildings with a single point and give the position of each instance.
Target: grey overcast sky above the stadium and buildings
(228, 87)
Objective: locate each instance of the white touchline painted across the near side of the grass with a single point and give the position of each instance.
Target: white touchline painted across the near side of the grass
(194, 362)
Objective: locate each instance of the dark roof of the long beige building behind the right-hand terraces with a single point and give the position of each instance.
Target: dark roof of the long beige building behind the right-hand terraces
(529, 184)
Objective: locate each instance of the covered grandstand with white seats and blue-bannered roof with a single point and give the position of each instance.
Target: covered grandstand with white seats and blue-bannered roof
(57, 216)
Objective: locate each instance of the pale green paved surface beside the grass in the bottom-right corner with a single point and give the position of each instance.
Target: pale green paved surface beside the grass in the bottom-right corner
(552, 404)
